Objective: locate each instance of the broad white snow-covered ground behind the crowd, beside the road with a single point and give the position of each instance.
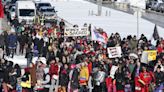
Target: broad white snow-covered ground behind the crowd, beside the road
(77, 12)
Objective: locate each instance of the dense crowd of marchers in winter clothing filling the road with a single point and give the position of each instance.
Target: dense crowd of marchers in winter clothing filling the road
(76, 64)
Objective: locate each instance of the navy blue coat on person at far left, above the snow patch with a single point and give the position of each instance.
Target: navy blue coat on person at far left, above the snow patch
(12, 40)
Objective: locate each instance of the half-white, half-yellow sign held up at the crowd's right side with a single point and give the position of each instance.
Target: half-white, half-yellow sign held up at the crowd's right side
(149, 55)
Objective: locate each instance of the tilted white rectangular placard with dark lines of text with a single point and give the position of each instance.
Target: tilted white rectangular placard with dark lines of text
(114, 52)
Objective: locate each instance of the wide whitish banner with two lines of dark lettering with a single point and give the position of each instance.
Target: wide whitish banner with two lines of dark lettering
(80, 31)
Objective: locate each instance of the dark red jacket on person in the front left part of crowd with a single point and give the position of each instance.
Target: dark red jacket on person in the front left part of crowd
(53, 69)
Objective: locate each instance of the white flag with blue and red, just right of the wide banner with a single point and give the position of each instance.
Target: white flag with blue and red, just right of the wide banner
(95, 35)
